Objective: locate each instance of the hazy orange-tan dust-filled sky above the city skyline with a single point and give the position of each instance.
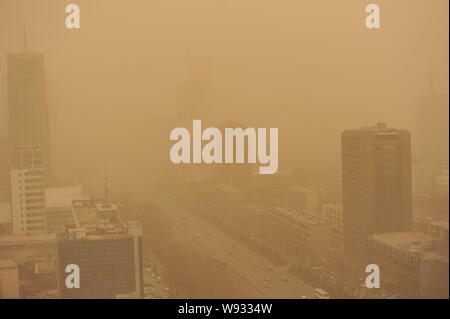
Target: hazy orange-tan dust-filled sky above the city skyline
(309, 67)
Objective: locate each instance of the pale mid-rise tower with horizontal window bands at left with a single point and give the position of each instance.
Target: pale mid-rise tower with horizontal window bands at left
(27, 190)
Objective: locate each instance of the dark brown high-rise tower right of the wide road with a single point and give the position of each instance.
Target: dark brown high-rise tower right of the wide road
(376, 166)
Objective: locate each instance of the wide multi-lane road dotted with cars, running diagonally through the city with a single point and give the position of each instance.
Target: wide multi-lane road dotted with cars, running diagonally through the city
(263, 278)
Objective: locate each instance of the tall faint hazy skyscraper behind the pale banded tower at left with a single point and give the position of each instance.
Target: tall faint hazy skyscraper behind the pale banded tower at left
(28, 122)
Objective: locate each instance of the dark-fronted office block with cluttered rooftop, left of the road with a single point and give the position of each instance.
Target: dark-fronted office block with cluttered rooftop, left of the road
(107, 251)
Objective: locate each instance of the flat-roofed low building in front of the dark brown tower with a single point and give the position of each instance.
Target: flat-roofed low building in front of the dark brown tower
(409, 264)
